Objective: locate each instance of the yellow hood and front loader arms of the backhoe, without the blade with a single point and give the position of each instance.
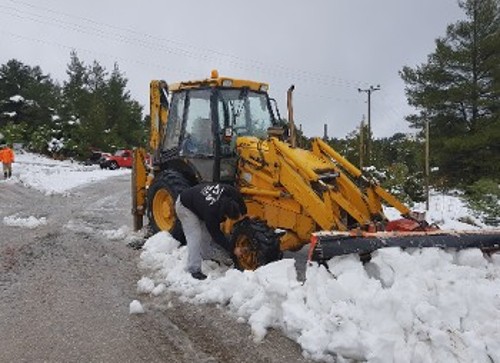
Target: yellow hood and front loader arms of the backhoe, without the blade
(302, 192)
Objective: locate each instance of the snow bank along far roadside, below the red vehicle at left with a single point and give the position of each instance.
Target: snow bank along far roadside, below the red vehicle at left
(56, 177)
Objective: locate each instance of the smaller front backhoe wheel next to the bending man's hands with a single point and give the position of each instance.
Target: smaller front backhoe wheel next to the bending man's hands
(258, 240)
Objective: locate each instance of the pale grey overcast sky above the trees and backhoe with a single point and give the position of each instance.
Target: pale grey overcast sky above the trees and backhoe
(326, 48)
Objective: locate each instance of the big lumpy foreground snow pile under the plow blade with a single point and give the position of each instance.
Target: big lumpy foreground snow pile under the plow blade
(415, 306)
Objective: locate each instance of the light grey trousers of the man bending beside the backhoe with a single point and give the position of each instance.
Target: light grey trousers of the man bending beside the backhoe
(199, 243)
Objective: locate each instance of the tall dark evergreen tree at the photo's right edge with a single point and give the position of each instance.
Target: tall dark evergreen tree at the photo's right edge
(457, 92)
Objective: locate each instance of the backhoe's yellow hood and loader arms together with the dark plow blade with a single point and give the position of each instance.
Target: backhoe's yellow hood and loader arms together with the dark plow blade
(320, 194)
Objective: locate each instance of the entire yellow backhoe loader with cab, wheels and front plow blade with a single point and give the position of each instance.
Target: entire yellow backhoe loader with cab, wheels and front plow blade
(225, 129)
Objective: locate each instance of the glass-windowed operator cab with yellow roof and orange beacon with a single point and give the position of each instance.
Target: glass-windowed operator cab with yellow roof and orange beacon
(206, 117)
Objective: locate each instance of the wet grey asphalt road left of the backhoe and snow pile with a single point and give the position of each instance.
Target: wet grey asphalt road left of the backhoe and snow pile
(65, 290)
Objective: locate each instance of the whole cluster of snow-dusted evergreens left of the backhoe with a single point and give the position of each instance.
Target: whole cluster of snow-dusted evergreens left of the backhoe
(91, 110)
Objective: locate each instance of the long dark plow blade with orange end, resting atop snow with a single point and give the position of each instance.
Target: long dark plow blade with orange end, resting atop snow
(325, 245)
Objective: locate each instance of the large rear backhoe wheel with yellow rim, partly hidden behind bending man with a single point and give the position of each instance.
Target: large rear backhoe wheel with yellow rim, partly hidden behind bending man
(162, 195)
